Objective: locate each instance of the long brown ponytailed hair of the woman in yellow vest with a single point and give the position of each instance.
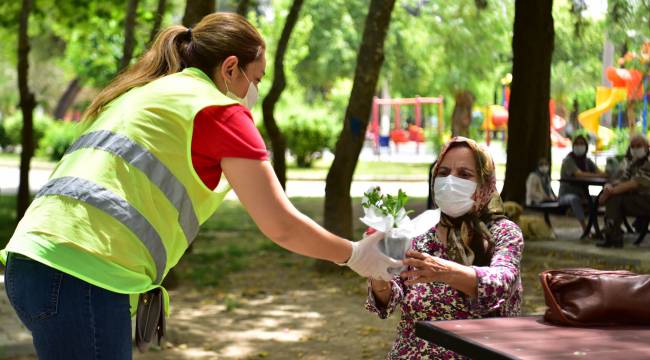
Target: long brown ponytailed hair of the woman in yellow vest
(205, 46)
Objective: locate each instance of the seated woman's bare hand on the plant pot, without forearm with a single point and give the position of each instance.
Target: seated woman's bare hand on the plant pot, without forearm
(426, 268)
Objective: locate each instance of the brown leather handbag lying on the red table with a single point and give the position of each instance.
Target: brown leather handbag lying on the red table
(589, 297)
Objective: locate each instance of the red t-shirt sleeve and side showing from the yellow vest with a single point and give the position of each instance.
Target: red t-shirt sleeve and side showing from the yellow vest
(224, 131)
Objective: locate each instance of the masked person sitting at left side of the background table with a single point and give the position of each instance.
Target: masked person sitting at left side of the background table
(577, 165)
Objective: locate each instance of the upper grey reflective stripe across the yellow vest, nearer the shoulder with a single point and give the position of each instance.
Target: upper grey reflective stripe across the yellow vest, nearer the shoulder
(151, 166)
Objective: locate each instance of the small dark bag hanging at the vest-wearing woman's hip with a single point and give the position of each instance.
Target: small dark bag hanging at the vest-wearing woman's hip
(150, 319)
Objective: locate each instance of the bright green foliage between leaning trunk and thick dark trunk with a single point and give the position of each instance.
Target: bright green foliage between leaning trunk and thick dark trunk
(427, 50)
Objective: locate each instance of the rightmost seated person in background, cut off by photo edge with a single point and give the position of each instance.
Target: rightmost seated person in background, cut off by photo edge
(630, 196)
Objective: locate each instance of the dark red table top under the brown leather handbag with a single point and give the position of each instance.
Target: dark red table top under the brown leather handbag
(531, 338)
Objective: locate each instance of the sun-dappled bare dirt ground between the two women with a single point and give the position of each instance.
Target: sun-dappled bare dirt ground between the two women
(279, 307)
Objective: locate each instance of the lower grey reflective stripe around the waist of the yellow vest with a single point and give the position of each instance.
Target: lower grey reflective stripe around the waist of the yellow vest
(115, 206)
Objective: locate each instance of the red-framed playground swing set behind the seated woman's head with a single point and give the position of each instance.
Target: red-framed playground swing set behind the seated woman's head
(398, 135)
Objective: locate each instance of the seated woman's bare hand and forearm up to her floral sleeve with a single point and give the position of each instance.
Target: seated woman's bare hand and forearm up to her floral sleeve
(427, 268)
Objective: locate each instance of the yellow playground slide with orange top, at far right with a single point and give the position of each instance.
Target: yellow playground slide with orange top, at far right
(626, 84)
